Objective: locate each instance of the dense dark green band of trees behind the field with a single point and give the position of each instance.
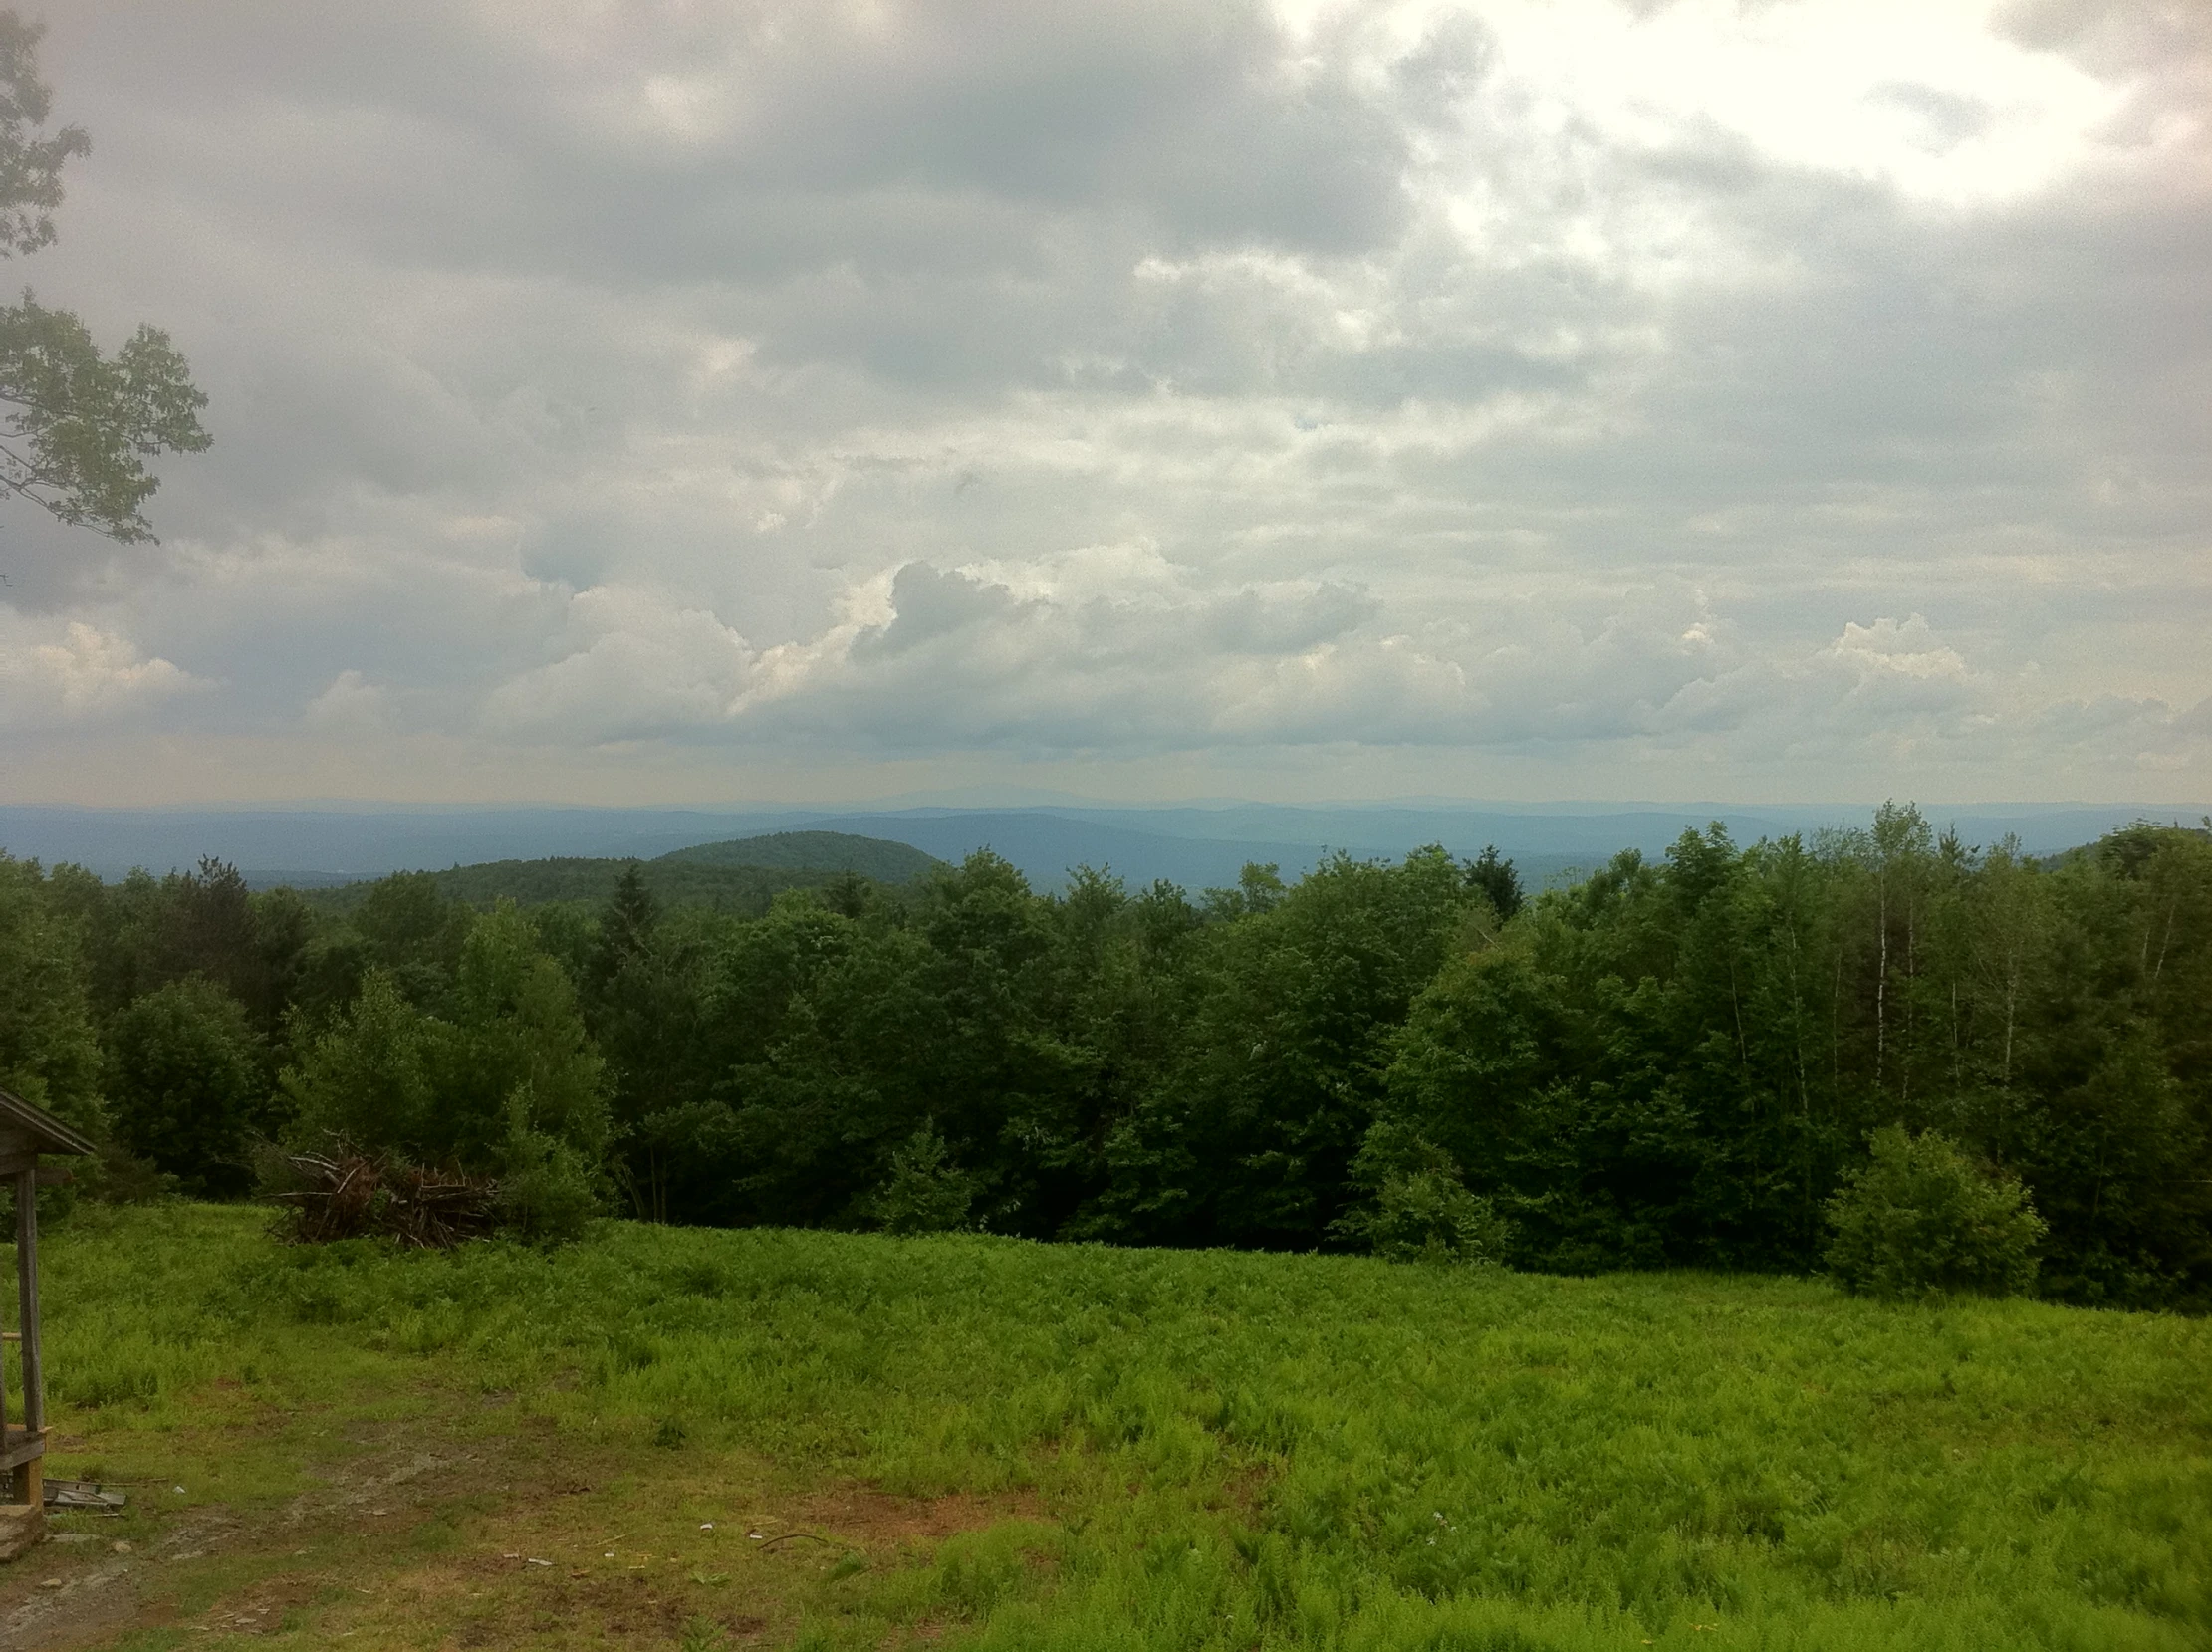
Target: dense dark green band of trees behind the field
(1673, 1063)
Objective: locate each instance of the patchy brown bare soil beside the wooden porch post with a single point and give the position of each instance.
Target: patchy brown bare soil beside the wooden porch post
(470, 1527)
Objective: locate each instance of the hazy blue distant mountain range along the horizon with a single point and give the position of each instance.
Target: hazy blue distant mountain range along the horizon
(1189, 846)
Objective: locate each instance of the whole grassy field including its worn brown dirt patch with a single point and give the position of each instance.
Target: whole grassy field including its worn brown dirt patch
(775, 1439)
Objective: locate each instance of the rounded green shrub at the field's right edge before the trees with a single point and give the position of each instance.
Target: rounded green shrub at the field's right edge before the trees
(1921, 1220)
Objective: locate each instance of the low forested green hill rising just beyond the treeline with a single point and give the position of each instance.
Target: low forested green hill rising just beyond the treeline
(740, 877)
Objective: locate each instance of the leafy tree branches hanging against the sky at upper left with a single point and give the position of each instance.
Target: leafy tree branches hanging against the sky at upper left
(81, 424)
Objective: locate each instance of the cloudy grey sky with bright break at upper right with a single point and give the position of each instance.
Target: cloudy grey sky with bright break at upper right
(817, 401)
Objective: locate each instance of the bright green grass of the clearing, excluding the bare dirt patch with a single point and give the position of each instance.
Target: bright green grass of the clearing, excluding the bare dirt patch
(1258, 1452)
